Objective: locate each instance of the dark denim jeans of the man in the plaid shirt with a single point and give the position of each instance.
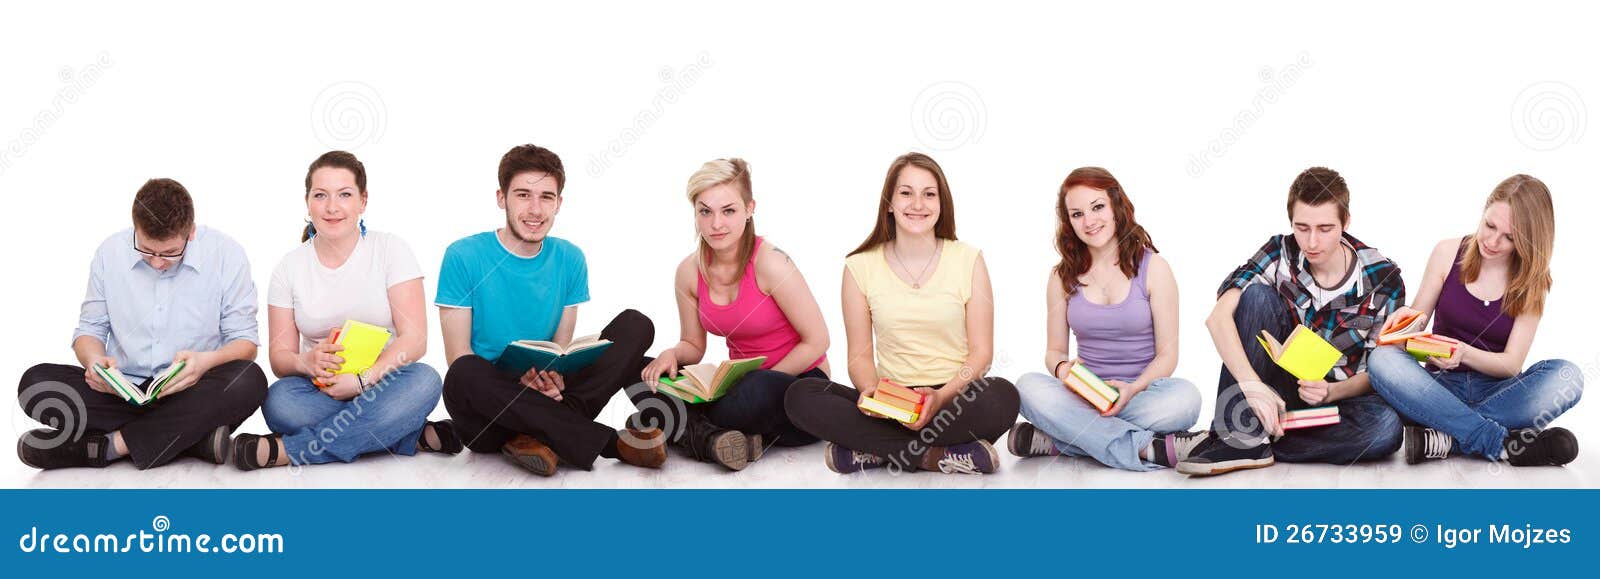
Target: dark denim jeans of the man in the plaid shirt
(1367, 431)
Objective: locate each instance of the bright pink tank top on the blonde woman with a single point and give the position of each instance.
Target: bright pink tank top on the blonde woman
(753, 324)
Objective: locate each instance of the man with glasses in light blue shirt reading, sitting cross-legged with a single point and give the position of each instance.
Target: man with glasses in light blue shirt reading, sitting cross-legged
(161, 295)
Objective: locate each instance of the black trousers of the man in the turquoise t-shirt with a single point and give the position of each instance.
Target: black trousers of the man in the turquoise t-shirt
(490, 407)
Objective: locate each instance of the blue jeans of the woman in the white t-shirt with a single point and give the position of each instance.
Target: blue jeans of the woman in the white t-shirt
(388, 417)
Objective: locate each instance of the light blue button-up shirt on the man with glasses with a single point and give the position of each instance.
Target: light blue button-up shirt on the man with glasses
(146, 316)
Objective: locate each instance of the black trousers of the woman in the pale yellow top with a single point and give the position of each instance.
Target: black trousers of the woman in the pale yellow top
(986, 410)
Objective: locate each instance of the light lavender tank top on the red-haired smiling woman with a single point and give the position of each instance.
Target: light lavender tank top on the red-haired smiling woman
(1116, 341)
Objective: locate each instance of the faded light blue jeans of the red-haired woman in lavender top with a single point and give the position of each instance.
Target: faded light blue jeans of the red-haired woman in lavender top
(1169, 405)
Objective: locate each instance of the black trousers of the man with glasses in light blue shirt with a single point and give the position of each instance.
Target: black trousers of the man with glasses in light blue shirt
(60, 397)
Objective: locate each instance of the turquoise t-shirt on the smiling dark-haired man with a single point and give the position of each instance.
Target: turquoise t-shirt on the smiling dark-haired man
(511, 297)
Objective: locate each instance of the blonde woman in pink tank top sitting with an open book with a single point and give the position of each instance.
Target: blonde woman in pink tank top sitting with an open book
(754, 297)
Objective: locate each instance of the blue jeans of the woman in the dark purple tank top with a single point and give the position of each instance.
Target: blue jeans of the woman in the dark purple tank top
(1471, 407)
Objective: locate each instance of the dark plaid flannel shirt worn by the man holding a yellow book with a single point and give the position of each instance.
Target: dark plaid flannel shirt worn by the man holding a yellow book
(1353, 321)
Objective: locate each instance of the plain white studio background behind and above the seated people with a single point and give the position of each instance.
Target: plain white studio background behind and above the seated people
(1204, 114)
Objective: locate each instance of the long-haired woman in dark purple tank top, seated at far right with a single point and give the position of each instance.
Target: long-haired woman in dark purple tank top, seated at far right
(1486, 292)
